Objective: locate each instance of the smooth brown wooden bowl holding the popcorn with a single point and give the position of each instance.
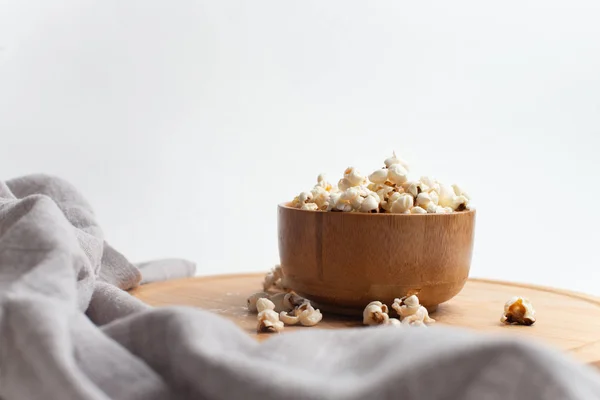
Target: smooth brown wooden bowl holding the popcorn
(343, 261)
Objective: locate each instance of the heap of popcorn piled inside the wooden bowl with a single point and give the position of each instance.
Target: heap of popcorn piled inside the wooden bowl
(386, 190)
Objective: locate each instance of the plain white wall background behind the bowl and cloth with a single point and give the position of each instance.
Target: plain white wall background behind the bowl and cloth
(185, 123)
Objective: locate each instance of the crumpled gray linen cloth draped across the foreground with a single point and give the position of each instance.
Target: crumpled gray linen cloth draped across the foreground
(69, 331)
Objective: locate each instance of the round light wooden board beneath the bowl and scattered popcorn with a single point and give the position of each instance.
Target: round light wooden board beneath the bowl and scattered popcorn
(566, 320)
